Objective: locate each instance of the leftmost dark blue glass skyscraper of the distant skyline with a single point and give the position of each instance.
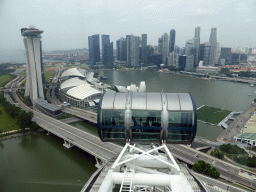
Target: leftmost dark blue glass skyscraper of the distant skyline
(94, 49)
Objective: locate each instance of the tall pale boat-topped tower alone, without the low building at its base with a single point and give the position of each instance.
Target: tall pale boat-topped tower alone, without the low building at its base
(32, 43)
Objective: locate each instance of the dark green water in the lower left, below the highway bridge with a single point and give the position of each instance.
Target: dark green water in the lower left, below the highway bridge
(39, 162)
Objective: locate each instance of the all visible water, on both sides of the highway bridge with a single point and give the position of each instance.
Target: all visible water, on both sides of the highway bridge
(39, 162)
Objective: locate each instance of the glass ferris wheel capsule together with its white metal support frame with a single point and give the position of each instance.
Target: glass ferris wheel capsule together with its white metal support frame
(146, 123)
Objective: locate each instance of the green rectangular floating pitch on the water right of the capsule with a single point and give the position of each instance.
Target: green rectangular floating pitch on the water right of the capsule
(212, 114)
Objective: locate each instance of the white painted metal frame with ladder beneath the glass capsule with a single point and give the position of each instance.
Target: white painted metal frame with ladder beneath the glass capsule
(145, 176)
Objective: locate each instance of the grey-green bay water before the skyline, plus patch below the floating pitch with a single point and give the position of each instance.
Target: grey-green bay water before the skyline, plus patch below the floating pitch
(221, 94)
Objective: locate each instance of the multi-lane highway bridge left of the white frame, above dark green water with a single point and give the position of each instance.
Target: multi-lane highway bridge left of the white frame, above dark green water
(79, 138)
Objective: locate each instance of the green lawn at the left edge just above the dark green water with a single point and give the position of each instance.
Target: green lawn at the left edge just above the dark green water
(7, 123)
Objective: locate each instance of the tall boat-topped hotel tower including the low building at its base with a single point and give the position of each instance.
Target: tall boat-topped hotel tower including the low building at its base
(35, 73)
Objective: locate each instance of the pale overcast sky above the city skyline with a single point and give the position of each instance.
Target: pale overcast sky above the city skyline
(68, 23)
